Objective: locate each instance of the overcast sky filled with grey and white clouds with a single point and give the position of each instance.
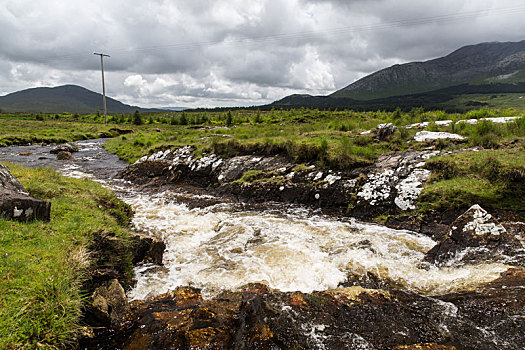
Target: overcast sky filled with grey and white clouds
(233, 52)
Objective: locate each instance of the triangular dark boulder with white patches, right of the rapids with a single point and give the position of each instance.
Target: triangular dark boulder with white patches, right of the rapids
(476, 236)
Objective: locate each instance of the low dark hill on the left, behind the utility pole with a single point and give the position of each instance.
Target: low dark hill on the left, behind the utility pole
(66, 98)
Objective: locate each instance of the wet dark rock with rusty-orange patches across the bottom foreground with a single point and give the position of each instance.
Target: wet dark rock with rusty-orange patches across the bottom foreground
(490, 317)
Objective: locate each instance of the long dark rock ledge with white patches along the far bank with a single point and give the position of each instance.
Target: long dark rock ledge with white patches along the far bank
(274, 178)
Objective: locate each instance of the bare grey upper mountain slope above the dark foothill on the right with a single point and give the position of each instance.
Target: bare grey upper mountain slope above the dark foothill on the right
(484, 63)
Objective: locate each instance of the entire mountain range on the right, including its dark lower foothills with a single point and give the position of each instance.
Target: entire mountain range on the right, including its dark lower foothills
(476, 69)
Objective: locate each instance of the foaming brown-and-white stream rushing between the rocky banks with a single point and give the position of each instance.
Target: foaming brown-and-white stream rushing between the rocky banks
(289, 248)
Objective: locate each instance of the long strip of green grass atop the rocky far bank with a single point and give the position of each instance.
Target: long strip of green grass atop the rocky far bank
(330, 139)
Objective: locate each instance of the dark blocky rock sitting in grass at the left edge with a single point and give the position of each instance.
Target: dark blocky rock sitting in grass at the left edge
(16, 204)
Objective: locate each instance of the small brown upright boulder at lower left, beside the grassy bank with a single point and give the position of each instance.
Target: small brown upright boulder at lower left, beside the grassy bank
(108, 304)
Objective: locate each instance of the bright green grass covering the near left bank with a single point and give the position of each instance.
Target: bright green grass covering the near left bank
(44, 265)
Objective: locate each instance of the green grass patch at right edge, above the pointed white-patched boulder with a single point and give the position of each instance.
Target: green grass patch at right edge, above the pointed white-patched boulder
(494, 179)
